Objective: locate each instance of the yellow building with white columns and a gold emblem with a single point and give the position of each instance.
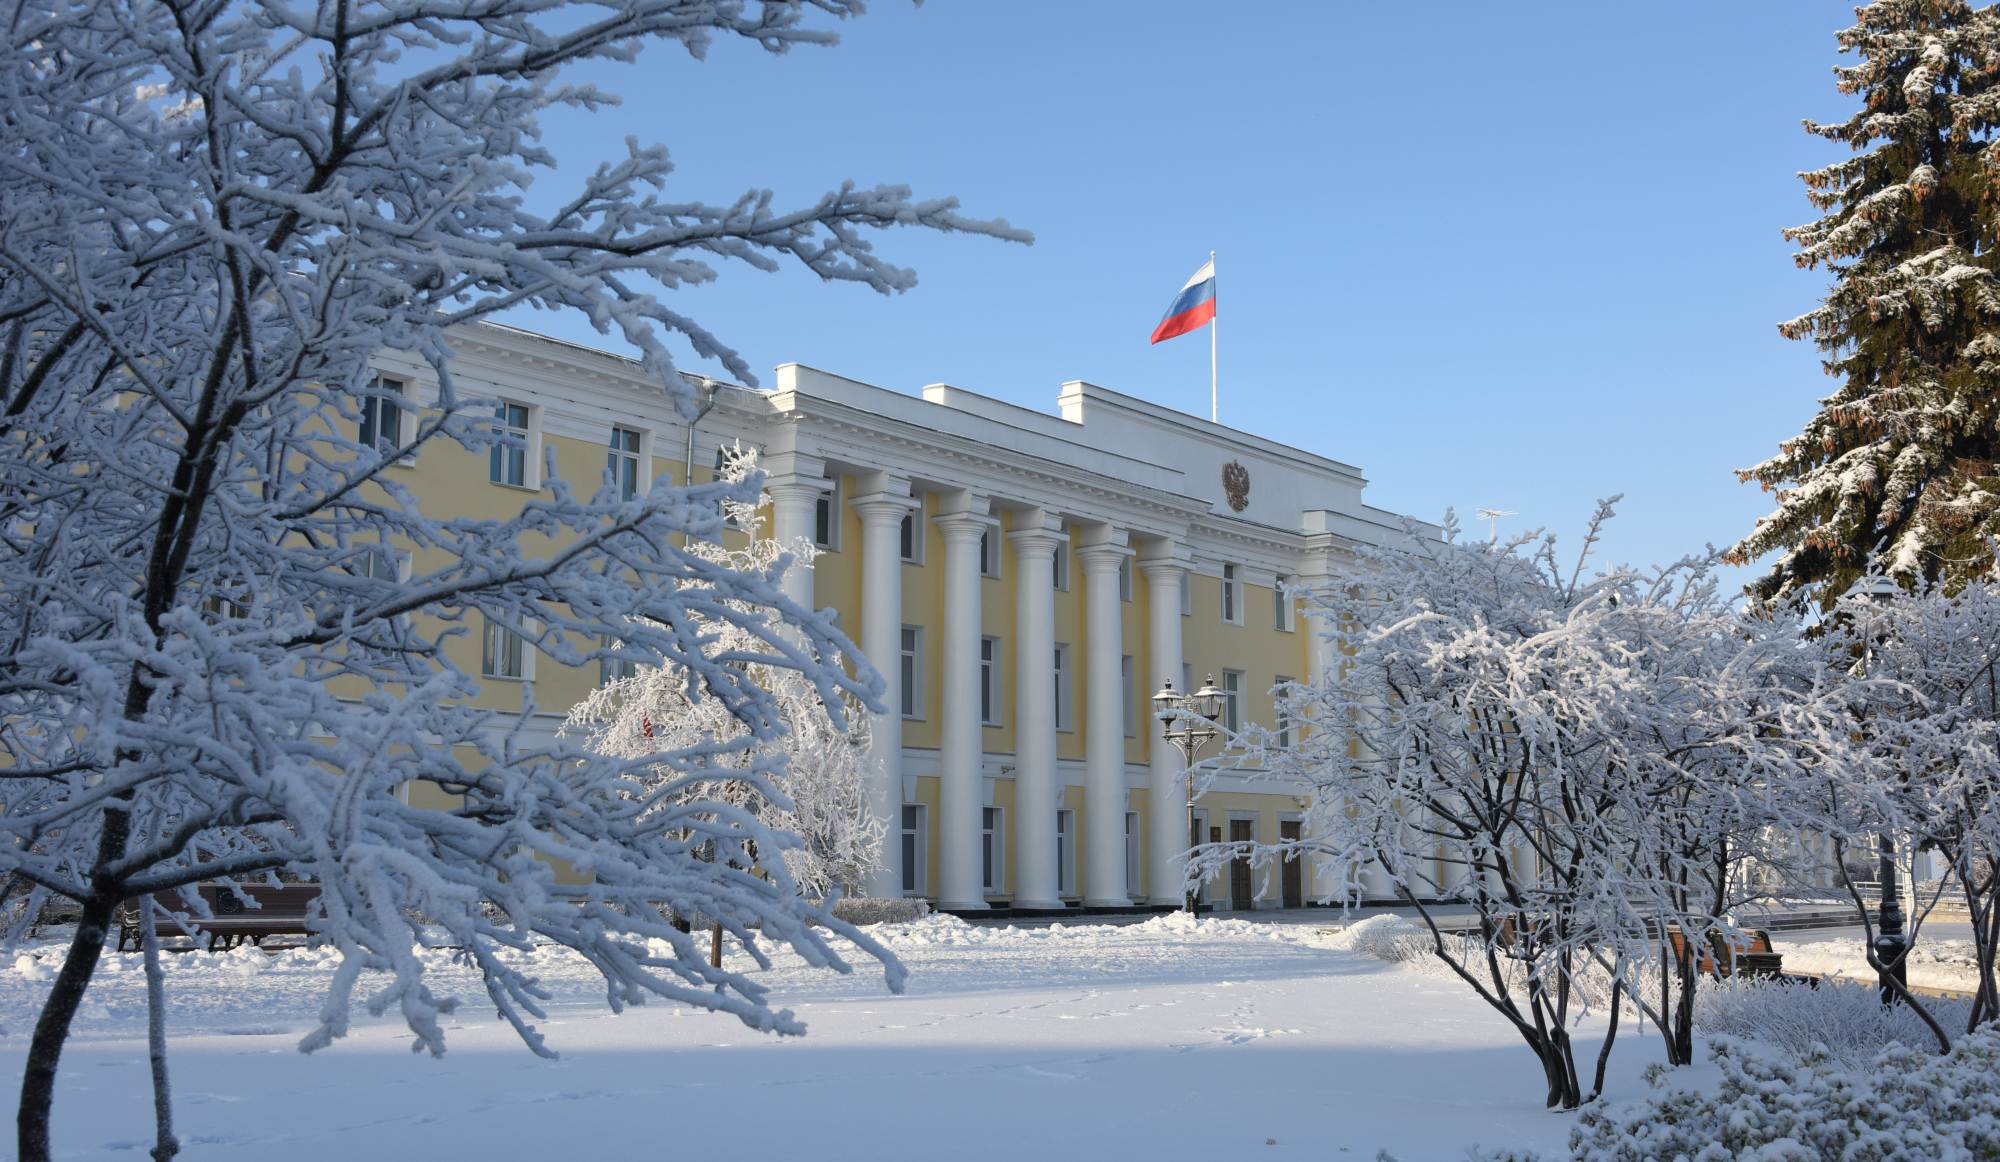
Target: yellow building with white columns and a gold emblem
(1023, 581)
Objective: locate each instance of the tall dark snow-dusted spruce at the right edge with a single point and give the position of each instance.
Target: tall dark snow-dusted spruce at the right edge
(1901, 467)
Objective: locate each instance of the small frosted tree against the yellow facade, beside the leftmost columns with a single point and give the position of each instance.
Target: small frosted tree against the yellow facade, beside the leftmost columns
(829, 835)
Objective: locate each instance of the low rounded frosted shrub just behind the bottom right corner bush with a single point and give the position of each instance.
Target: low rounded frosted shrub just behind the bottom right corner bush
(1845, 1019)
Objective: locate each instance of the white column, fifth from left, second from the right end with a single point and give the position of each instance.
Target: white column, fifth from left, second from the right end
(1105, 793)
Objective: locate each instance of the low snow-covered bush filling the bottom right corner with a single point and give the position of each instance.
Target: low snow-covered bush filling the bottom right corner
(1909, 1105)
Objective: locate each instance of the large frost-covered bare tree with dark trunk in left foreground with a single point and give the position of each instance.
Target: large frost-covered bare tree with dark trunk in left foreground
(211, 219)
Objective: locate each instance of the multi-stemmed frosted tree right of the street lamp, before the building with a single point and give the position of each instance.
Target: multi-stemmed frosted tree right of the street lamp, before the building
(1561, 755)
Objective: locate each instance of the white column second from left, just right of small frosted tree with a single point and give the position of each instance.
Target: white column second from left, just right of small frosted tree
(883, 643)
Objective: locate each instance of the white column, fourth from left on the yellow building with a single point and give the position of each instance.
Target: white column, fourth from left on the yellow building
(1037, 795)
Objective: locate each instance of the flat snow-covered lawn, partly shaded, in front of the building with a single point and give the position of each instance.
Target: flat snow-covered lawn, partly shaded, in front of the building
(1221, 1039)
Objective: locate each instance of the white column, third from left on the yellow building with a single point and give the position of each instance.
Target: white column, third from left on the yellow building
(961, 793)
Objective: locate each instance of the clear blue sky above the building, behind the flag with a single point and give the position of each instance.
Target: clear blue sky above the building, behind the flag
(1495, 255)
